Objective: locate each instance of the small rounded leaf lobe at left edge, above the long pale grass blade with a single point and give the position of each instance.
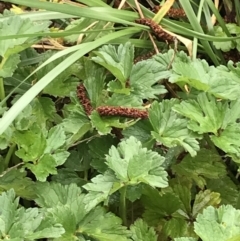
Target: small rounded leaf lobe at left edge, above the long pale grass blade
(9, 66)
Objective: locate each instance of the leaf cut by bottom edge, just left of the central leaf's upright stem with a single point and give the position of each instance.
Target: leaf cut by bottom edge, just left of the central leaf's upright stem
(103, 226)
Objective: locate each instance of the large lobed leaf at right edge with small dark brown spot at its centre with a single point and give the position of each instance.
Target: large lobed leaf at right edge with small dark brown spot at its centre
(209, 116)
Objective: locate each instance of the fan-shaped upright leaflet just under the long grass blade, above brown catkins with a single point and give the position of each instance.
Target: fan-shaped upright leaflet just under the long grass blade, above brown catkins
(119, 62)
